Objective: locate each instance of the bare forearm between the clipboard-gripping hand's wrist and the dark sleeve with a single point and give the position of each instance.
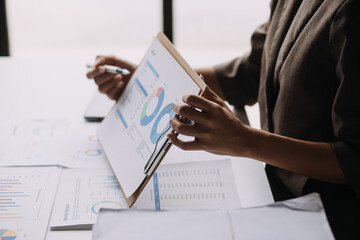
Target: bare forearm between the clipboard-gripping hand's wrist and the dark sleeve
(313, 159)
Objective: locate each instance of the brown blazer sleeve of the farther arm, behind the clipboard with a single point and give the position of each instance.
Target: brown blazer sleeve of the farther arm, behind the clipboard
(239, 78)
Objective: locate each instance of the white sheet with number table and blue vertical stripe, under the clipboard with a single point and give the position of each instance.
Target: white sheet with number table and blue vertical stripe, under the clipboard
(194, 185)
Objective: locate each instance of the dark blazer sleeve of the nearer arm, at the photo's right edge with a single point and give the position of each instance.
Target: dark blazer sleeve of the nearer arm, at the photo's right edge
(345, 50)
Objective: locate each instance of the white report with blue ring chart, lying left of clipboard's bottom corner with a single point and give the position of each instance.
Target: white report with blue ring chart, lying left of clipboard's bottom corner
(81, 194)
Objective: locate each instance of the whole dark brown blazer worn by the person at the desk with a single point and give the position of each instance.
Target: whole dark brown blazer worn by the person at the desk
(304, 70)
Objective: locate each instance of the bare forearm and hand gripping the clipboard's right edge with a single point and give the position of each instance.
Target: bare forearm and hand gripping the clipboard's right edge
(218, 130)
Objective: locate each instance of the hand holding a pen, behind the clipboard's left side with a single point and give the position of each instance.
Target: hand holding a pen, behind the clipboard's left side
(112, 85)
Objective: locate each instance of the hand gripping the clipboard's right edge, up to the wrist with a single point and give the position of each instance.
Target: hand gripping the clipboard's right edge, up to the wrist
(215, 127)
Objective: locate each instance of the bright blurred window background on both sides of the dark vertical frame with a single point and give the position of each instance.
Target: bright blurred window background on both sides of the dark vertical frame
(204, 31)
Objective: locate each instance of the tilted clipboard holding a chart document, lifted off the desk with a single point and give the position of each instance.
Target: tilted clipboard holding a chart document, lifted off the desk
(133, 134)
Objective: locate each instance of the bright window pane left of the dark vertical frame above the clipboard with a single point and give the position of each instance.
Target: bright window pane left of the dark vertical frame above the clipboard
(82, 27)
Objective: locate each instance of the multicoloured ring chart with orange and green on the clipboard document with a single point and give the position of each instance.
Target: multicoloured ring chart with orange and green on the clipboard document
(157, 94)
